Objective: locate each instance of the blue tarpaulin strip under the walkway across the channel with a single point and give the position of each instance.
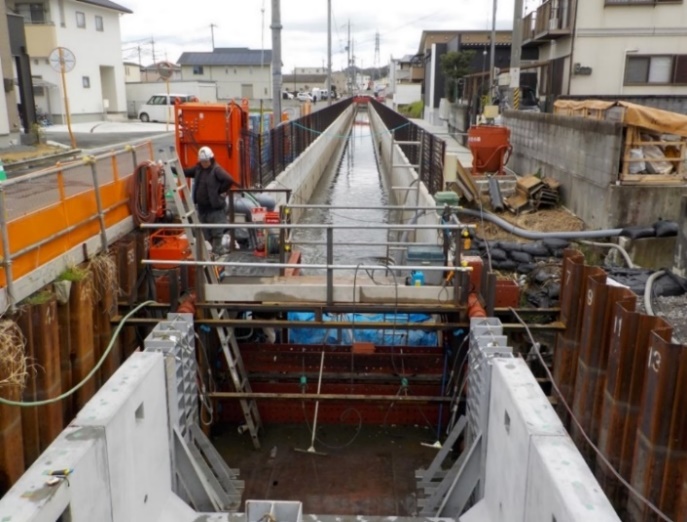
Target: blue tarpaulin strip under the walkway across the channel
(393, 335)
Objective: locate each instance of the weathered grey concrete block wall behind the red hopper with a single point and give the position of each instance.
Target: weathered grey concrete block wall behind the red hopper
(583, 154)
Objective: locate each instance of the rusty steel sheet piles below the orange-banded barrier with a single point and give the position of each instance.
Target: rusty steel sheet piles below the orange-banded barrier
(64, 340)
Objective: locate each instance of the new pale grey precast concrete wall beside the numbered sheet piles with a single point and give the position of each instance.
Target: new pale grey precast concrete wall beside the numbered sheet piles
(534, 471)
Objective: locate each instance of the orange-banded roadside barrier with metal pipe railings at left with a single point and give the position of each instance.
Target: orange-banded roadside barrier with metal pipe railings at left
(45, 215)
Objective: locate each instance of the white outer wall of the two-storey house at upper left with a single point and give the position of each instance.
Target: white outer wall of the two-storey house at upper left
(93, 50)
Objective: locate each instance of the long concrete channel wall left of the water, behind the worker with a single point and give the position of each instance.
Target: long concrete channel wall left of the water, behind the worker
(303, 175)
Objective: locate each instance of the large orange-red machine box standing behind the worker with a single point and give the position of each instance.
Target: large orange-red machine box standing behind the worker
(219, 126)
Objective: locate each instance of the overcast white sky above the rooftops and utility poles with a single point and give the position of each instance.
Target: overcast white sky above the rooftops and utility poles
(176, 27)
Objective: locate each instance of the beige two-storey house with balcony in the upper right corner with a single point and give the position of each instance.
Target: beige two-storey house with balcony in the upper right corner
(616, 48)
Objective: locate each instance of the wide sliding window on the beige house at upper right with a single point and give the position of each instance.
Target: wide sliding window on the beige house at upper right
(656, 70)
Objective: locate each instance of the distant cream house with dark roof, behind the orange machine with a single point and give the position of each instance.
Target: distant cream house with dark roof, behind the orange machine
(239, 72)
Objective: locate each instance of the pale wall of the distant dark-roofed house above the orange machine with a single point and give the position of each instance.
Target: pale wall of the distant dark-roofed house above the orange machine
(230, 78)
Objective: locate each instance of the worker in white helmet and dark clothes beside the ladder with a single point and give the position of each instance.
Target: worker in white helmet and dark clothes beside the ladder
(210, 187)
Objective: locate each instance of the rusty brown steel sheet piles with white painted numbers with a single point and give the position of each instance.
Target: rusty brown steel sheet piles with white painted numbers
(628, 388)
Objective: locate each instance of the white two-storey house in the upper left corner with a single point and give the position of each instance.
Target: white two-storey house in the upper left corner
(94, 73)
